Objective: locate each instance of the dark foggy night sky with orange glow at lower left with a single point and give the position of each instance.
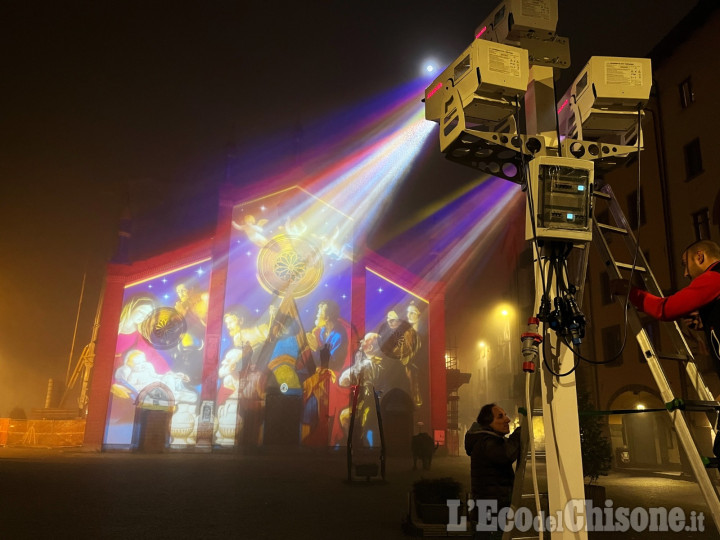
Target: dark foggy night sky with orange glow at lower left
(112, 103)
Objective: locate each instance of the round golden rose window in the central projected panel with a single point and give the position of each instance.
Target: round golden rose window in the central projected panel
(289, 266)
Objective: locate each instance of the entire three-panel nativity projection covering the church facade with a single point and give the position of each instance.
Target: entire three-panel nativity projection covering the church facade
(286, 353)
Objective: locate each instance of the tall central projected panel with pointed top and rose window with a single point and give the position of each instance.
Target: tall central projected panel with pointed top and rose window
(288, 295)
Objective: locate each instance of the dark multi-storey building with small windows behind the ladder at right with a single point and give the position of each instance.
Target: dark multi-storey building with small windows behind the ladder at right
(675, 201)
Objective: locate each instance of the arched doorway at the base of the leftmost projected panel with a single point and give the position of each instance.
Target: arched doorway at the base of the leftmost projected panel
(154, 408)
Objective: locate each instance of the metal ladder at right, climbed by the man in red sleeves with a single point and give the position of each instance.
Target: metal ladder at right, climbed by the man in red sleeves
(680, 350)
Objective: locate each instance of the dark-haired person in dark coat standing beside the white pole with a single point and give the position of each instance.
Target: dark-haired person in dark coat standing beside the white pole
(491, 457)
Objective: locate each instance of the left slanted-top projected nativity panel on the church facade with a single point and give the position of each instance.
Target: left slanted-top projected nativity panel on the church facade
(158, 355)
